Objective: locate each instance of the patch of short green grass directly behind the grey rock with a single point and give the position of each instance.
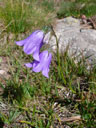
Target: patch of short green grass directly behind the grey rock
(77, 8)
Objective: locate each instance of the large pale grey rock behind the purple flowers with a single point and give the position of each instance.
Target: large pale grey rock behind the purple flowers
(68, 33)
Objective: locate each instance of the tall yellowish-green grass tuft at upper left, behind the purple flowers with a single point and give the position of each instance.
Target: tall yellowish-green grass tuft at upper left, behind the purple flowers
(20, 15)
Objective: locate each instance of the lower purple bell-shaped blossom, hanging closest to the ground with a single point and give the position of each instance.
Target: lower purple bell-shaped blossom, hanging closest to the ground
(42, 65)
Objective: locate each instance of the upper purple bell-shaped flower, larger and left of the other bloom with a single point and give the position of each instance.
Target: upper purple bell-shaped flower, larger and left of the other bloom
(32, 44)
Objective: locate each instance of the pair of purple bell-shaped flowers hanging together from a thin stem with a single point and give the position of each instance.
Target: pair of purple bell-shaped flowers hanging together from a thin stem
(32, 45)
